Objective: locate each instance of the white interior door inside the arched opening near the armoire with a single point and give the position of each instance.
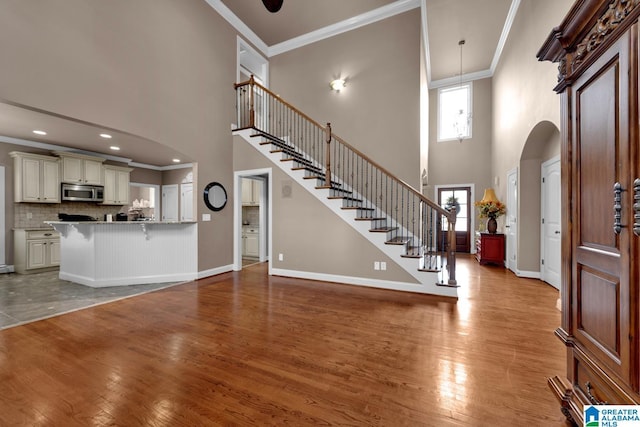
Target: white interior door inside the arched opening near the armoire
(550, 245)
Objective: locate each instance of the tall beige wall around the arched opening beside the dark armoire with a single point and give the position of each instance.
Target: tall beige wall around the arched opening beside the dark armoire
(523, 99)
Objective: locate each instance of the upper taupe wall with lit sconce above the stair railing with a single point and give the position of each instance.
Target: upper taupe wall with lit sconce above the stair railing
(379, 111)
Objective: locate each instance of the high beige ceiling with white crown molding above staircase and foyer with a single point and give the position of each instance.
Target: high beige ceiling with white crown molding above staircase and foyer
(481, 23)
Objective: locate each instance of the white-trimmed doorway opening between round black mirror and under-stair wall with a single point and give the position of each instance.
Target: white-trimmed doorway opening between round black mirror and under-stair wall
(252, 217)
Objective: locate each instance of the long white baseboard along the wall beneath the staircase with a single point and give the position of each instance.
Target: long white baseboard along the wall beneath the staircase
(431, 289)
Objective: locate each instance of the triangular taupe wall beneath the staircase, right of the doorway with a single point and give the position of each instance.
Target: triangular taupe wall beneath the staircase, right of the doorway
(309, 235)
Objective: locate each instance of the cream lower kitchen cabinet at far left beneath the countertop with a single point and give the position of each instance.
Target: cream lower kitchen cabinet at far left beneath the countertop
(36, 250)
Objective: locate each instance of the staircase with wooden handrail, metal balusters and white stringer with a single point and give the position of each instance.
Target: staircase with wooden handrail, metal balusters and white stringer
(408, 227)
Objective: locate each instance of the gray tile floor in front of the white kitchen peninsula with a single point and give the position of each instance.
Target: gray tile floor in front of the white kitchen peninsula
(25, 298)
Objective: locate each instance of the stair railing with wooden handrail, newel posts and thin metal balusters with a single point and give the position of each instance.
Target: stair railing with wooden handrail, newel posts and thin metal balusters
(392, 206)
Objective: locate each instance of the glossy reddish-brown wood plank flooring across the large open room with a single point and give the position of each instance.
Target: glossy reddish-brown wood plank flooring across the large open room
(248, 349)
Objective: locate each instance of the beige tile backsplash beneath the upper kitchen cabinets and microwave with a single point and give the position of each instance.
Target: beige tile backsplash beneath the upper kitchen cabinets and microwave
(32, 215)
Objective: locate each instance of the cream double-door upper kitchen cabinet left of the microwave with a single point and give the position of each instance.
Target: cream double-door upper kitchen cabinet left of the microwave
(36, 178)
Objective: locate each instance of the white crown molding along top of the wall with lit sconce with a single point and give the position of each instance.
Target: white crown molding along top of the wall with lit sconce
(358, 21)
